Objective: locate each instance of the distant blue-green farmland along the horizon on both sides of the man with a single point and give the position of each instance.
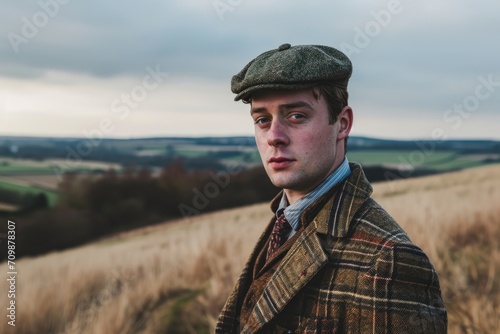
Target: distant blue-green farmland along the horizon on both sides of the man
(36, 165)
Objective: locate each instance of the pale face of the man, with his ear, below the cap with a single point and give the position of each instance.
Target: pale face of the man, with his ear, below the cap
(297, 145)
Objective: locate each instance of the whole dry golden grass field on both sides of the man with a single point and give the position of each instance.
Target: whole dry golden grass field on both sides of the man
(174, 278)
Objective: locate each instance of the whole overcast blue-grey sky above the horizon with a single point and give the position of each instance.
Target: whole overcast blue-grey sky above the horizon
(422, 69)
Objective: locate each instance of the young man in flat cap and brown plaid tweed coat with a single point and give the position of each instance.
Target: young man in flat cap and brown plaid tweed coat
(331, 260)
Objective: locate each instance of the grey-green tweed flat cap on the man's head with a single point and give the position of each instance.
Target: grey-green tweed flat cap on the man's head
(292, 67)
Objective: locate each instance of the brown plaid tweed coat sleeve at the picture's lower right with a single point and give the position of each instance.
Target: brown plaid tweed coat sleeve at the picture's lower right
(406, 296)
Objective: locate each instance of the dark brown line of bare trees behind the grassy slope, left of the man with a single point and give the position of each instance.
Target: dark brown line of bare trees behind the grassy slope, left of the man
(94, 206)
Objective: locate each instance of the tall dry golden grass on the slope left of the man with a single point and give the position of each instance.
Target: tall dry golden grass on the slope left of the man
(165, 278)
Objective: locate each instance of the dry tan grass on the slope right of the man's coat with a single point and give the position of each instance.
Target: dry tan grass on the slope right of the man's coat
(455, 218)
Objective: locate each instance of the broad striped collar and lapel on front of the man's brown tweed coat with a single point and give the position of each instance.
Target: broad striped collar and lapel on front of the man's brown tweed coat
(329, 217)
